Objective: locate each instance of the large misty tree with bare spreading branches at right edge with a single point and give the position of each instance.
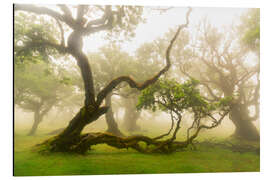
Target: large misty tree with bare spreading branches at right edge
(226, 68)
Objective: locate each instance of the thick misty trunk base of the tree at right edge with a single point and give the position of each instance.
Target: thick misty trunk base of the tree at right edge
(244, 128)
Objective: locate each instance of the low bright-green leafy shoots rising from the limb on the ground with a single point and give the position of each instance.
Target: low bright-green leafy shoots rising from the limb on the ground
(175, 98)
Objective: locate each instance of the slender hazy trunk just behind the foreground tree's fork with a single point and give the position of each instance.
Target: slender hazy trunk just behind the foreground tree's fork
(111, 123)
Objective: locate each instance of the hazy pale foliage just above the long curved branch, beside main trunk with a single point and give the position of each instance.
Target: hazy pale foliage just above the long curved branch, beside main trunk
(111, 62)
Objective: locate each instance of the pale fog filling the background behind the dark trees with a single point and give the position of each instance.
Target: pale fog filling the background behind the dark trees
(210, 49)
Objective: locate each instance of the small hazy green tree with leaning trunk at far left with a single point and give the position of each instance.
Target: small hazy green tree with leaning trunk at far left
(37, 90)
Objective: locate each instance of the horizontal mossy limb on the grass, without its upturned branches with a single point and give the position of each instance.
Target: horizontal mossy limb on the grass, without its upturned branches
(139, 143)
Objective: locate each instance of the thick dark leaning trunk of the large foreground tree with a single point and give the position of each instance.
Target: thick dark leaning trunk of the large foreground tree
(65, 141)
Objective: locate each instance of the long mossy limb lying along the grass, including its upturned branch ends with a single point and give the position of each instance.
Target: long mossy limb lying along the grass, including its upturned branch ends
(82, 143)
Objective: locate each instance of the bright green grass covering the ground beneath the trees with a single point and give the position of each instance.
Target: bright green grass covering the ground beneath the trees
(107, 160)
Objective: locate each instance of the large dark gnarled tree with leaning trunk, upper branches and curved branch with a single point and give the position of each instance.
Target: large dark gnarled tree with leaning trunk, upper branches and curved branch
(71, 138)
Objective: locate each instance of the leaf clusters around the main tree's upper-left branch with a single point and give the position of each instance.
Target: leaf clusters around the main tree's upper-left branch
(29, 28)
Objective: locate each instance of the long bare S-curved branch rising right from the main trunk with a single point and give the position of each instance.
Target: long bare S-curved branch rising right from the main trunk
(133, 84)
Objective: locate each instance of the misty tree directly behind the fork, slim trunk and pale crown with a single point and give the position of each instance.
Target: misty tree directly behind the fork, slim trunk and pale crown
(109, 63)
